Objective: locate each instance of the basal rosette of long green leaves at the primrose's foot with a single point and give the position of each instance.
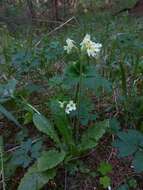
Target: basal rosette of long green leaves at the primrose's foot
(68, 149)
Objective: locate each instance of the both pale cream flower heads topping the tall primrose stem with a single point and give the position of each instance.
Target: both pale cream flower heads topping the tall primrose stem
(87, 45)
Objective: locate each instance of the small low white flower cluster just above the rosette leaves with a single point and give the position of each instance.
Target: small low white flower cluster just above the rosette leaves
(69, 107)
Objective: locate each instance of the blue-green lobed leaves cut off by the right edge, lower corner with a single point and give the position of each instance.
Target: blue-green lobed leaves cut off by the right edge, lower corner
(130, 143)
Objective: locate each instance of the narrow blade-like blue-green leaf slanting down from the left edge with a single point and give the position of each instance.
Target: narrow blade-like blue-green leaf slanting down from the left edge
(8, 115)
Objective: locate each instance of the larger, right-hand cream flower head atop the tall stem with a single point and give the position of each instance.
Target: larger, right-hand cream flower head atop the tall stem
(90, 47)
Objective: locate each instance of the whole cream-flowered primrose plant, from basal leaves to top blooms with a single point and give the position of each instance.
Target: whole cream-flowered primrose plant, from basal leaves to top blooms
(70, 110)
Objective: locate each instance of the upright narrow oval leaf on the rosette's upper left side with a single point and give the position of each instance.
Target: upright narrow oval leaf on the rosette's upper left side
(43, 125)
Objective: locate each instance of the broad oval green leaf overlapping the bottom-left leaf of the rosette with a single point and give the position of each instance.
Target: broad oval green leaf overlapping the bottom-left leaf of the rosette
(50, 159)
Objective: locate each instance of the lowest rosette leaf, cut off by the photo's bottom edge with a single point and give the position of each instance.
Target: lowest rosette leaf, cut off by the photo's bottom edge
(35, 180)
